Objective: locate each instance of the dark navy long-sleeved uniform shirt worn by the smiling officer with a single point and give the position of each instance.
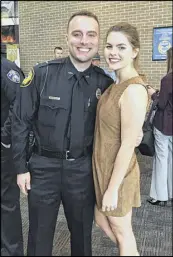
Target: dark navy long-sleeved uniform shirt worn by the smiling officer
(45, 103)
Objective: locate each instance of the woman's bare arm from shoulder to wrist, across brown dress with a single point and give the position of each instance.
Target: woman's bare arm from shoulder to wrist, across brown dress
(133, 105)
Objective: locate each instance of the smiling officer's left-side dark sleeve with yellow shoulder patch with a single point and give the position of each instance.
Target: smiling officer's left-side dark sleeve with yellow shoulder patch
(24, 110)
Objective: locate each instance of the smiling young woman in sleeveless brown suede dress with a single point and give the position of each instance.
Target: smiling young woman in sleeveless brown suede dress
(120, 116)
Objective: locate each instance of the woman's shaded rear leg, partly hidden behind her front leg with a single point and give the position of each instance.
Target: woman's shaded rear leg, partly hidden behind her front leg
(102, 222)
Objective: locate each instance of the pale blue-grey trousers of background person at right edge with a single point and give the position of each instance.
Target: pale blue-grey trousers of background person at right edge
(161, 183)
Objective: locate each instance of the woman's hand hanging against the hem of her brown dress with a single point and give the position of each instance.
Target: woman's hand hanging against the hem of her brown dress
(110, 200)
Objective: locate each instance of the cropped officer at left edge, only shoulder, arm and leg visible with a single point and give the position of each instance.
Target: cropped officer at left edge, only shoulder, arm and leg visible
(11, 225)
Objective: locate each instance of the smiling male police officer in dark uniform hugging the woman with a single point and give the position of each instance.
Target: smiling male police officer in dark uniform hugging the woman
(59, 99)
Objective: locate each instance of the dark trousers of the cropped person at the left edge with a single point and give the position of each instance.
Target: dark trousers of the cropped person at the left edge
(11, 223)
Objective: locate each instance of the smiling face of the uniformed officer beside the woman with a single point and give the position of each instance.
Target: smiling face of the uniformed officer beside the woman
(83, 38)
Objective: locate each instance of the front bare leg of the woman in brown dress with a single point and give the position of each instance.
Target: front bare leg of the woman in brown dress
(122, 229)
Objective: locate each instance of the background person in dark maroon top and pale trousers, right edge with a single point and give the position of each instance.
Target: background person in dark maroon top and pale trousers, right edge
(161, 182)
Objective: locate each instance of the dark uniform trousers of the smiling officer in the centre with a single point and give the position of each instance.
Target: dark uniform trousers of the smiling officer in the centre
(53, 181)
